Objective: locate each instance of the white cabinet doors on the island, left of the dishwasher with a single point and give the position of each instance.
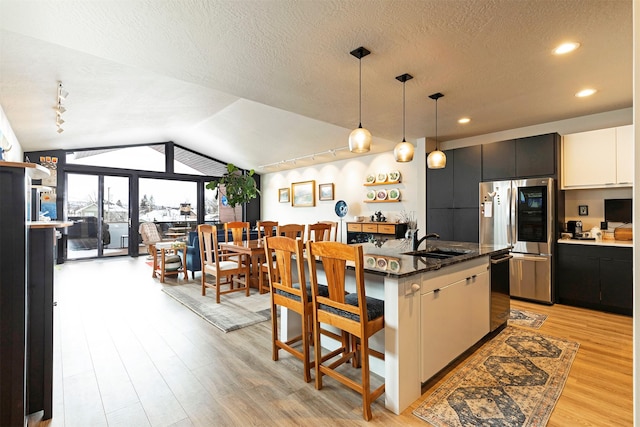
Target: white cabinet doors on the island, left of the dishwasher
(454, 313)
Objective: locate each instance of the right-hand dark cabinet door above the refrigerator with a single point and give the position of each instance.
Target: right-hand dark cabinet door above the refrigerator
(536, 155)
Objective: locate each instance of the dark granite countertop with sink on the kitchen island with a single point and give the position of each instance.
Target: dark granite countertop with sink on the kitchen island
(390, 258)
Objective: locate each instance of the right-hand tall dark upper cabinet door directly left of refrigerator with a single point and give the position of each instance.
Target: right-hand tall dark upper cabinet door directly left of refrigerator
(467, 174)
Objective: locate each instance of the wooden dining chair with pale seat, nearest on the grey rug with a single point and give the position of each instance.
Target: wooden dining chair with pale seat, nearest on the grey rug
(225, 269)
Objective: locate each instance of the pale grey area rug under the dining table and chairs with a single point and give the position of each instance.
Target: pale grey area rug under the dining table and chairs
(235, 310)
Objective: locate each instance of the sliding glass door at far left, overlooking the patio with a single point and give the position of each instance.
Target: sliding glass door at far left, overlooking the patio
(99, 207)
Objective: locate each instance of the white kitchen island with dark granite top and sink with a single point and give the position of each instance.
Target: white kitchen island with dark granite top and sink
(436, 307)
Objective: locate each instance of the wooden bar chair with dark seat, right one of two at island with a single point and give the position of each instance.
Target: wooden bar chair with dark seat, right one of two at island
(358, 317)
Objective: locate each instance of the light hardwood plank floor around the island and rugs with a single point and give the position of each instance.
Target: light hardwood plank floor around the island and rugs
(126, 354)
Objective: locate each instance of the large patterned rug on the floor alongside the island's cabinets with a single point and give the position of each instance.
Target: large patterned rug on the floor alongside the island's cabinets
(514, 379)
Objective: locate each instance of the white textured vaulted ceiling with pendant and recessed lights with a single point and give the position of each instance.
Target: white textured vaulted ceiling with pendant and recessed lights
(260, 81)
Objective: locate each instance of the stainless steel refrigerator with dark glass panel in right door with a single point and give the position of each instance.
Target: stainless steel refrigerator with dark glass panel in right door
(520, 213)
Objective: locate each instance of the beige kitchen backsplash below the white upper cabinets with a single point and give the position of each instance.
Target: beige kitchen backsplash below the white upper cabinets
(594, 200)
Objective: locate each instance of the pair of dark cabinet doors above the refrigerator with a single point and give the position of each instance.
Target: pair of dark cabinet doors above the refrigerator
(521, 158)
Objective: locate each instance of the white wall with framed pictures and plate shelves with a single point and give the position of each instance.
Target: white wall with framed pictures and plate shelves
(348, 177)
